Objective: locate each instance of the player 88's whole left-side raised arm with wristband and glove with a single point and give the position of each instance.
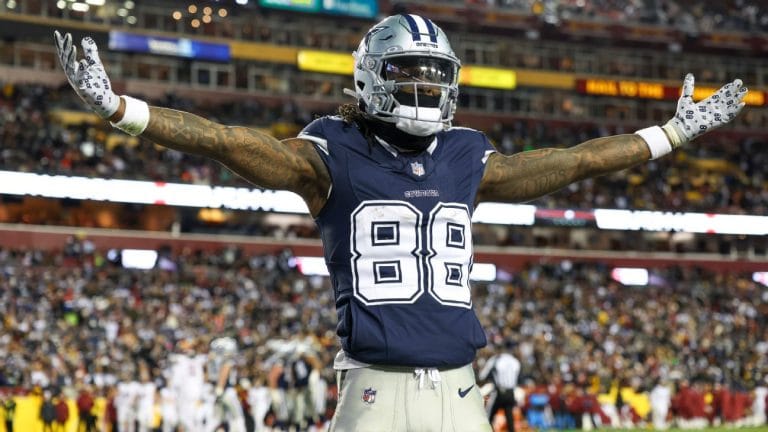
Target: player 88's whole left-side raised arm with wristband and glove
(291, 164)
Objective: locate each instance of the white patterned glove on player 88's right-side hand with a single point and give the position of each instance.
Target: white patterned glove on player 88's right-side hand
(693, 119)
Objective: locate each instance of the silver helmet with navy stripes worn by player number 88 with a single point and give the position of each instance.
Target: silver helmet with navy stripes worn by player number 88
(406, 73)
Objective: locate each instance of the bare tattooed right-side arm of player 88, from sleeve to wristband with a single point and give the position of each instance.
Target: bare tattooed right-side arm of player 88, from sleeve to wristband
(528, 175)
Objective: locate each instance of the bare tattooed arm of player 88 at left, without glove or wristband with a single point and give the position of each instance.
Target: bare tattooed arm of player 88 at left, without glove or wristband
(291, 164)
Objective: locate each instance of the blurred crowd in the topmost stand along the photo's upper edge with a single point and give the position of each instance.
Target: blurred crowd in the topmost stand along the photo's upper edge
(272, 25)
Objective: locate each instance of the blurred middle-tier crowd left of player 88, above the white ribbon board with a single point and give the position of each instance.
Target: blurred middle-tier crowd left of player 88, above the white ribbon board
(33, 139)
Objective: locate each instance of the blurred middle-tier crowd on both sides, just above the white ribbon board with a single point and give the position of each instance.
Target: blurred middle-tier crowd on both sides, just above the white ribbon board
(719, 174)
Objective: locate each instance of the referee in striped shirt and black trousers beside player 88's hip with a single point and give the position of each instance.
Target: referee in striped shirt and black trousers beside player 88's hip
(502, 369)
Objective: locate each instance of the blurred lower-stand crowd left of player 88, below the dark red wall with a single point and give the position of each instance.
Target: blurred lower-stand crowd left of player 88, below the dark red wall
(75, 321)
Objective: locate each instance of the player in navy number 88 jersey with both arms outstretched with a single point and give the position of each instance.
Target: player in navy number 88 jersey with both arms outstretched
(392, 187)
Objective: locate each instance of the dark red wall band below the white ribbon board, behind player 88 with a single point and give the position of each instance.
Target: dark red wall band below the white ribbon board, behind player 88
(508, 257)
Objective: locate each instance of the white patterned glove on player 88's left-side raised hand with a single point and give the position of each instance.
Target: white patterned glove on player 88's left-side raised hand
(87, 76)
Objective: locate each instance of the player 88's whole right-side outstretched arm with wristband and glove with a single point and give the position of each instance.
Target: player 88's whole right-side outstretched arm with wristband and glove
(529, 175)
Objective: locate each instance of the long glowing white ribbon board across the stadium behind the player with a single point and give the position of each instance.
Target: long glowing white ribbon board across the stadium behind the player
(241, 198)
